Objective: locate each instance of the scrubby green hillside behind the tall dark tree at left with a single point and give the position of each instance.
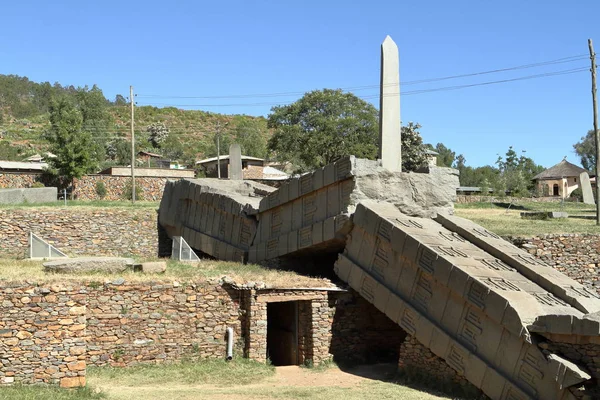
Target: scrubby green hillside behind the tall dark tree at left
(24, 118)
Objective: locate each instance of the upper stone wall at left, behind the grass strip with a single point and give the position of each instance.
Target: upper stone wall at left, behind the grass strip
(81, 231)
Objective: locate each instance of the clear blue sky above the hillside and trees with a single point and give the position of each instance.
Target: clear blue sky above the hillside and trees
(227, 48)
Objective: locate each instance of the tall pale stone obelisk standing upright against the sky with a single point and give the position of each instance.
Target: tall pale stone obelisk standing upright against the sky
(390, 151)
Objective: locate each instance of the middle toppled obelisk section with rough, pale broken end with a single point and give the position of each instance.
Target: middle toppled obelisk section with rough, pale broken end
(313, 211)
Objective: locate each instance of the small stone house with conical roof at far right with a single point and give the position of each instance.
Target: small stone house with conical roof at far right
(559, 180)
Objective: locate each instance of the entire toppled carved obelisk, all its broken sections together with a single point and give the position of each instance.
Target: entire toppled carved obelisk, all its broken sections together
(475, 300)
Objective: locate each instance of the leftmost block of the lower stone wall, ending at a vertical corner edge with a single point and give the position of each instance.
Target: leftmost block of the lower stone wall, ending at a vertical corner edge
(42, 334)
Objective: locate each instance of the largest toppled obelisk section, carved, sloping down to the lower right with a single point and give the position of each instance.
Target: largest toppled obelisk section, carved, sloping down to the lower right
(470, 308)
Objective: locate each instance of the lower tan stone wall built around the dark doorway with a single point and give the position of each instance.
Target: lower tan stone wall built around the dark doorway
(48, 334)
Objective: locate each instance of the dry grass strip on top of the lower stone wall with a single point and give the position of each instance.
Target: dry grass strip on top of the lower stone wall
(33, 271)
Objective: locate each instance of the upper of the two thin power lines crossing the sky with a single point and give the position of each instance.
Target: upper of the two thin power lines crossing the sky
(365, 87)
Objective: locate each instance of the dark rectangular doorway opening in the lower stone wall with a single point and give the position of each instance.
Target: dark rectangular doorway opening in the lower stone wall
(282, 333)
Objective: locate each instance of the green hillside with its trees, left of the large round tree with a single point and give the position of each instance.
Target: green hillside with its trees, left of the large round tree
(29, 112)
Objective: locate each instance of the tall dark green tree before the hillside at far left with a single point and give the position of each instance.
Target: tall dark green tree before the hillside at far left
(72, 146)
